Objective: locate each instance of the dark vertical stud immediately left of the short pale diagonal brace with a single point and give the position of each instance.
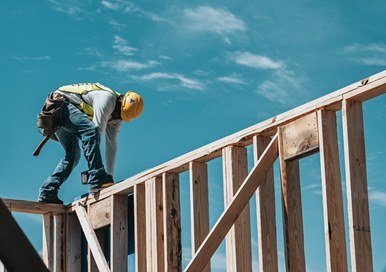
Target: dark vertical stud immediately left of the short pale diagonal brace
(73, 245)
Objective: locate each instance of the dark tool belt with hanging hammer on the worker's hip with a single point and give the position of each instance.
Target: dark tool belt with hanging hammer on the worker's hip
(50, 119)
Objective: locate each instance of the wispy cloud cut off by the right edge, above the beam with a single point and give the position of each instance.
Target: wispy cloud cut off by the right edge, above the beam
(372, 54)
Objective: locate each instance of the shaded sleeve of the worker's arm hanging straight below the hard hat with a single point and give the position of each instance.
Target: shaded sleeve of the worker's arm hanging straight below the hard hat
(112, 131)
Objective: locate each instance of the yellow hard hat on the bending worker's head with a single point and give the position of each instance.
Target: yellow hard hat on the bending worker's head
(132, 106)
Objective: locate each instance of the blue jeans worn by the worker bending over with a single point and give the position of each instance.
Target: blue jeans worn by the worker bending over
(76, 127)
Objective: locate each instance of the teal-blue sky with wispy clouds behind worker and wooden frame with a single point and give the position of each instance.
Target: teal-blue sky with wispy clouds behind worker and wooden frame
(205, 69)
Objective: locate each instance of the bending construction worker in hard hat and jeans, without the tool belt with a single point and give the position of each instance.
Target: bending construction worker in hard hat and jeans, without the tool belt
(89, 111)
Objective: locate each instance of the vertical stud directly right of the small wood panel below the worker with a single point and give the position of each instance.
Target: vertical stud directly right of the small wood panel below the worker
(119, 233)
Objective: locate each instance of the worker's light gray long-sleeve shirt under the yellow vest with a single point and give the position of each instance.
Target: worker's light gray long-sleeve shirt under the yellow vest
(103, 103)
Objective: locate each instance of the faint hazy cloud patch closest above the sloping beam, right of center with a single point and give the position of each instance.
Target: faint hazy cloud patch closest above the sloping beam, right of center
(285, 87)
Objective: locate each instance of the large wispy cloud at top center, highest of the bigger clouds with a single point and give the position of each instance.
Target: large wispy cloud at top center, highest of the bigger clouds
(208, 19)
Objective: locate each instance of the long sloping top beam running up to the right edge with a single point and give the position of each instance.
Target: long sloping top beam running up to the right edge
(330, 101)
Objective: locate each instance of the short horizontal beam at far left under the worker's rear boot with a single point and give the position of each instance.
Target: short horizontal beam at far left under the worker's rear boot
(25, 206)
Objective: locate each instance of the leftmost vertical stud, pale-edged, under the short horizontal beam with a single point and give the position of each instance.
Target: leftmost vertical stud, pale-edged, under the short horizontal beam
(48, 240)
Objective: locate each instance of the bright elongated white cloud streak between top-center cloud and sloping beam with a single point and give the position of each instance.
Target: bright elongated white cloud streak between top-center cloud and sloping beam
(256, 61)
